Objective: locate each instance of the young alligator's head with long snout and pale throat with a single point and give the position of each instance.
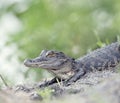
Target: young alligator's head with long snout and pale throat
(55, 62)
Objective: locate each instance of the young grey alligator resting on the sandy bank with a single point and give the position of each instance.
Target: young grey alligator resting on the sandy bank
(69, 69)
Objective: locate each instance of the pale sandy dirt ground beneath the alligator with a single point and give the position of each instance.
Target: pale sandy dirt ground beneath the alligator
(96, 87)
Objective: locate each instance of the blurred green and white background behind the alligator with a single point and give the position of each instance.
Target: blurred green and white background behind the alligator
(72, 26)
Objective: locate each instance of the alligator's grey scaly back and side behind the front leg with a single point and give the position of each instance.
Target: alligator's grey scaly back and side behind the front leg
(100, 59)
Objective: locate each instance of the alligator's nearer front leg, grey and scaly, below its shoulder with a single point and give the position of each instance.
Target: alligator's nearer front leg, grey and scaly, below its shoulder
(75, 77)
